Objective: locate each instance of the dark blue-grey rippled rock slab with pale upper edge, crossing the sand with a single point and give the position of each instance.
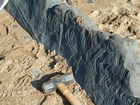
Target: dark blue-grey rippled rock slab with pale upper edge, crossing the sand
(100, 61)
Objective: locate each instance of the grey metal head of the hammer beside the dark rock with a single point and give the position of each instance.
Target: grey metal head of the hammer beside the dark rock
(51, 85)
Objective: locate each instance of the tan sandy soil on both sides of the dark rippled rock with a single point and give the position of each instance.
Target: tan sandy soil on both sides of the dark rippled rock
(24, 64)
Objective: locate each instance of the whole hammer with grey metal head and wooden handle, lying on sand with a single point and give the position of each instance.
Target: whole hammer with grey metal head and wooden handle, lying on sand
(60, 83)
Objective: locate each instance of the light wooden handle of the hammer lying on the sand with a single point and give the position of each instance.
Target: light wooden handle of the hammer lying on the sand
(69, 96)
